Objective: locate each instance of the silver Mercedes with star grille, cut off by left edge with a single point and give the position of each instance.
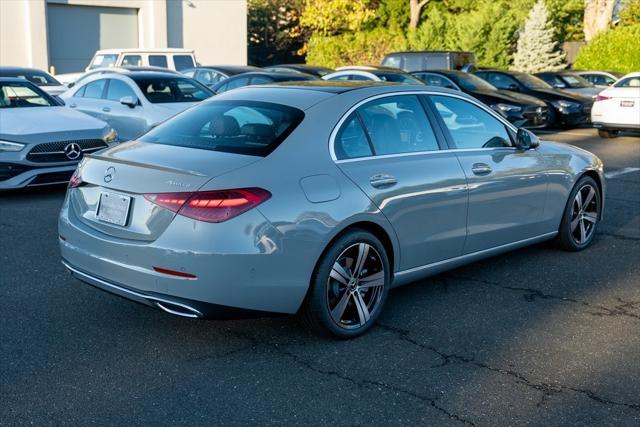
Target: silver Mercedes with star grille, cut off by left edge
(41, 141)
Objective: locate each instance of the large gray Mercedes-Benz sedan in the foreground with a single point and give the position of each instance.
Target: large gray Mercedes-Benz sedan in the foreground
(318, 198)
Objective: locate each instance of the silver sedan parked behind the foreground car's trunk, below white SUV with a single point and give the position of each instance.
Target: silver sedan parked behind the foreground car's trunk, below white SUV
(135, 102)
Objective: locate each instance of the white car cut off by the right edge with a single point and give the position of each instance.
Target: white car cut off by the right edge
(618, 107)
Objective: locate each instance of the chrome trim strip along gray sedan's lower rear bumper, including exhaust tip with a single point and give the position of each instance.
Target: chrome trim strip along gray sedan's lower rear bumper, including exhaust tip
(166, 305)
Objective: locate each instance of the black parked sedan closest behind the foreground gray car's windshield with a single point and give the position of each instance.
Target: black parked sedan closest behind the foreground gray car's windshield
(520, 109)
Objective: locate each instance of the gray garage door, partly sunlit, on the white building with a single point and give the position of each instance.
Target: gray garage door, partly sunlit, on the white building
(76, 32)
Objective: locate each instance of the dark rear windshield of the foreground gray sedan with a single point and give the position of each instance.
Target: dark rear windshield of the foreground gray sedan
(240, 127)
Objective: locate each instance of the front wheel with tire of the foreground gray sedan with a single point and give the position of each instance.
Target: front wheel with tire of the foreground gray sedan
(579, 223)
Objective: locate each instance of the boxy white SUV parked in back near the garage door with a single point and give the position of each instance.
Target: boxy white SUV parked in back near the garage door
(172, 59)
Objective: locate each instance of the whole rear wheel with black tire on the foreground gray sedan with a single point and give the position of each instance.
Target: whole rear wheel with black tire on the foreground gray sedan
(356, 302)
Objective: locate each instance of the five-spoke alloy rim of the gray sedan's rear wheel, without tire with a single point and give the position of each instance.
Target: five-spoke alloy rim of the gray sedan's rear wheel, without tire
(355, 286)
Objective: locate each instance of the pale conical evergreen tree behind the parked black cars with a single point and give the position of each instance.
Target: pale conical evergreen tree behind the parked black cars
(536, 49)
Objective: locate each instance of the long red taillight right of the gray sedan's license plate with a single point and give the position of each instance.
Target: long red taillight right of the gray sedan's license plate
(211, 206)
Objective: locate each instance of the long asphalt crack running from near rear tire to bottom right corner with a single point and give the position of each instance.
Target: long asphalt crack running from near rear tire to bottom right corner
(547, 389)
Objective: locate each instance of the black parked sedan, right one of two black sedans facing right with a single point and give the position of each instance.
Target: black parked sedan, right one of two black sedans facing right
(569, 109)
